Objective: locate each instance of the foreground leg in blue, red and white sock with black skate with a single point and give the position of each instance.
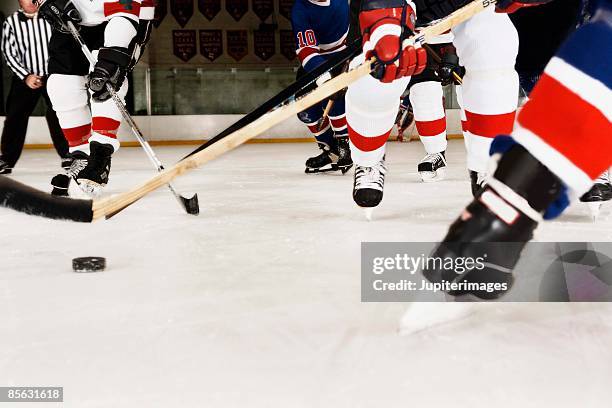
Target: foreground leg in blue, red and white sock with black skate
(563, 144)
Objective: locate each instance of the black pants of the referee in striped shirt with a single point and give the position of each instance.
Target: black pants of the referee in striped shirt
(20, 104)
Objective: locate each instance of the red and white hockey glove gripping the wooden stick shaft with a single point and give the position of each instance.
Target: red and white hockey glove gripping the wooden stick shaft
(386, 36)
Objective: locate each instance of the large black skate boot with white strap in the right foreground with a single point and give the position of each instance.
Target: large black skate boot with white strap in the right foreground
(498, 223)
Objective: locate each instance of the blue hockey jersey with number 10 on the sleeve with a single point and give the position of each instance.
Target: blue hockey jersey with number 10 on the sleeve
(320, 29)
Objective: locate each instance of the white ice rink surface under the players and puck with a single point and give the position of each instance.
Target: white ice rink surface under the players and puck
(256, 303)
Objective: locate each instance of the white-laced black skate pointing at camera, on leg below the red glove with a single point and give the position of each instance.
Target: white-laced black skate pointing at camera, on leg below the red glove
(368, 186)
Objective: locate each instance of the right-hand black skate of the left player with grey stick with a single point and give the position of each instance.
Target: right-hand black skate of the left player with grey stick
(94, 176)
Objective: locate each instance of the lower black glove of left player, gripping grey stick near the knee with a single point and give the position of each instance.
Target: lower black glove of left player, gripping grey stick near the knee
(111, 69)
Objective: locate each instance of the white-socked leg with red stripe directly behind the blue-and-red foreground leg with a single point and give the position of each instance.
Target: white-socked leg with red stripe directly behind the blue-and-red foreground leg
(487, 46)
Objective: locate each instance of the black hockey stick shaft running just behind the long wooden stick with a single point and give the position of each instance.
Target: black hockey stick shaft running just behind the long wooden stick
(286, 94)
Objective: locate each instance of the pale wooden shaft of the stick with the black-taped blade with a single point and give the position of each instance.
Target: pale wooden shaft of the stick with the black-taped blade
(112, 205)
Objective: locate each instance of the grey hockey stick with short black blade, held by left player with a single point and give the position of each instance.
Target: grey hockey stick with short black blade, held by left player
(190, 205)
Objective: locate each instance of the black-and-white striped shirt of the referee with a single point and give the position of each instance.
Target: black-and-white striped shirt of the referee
(25, 44)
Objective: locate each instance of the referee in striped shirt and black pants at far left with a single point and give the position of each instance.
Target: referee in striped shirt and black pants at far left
(25, 38)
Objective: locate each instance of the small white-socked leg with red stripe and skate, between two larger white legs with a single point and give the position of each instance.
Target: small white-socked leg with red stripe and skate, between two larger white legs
(428, 105)
